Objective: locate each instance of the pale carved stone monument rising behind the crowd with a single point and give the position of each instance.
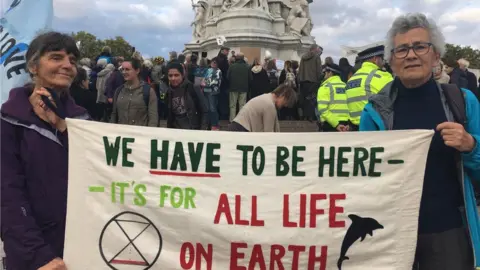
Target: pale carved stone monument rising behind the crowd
(282, 27)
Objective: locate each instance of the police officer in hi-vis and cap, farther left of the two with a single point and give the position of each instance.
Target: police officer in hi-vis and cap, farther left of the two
(332, 101)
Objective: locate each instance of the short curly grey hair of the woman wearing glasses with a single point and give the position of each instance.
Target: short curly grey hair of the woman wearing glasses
(407, 22)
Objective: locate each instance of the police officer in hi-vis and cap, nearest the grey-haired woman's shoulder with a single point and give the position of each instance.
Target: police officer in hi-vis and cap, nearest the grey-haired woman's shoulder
(367, 81)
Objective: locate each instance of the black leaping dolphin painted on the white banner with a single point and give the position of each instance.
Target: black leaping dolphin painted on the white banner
(359, 228)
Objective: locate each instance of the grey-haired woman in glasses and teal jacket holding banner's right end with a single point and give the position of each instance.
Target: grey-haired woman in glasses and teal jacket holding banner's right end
(448, 226)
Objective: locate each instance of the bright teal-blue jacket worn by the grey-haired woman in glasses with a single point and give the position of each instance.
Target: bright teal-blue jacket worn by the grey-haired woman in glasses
(378, 114)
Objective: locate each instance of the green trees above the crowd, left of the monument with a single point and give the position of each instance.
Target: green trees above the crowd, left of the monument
(91, 46)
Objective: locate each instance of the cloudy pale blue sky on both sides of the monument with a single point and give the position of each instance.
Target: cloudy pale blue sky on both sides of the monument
(156, 27)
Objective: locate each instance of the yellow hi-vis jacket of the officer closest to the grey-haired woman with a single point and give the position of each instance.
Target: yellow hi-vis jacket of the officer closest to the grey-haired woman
(367, 81)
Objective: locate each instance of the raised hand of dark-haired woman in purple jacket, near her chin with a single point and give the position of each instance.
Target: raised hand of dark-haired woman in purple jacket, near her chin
(42, 110)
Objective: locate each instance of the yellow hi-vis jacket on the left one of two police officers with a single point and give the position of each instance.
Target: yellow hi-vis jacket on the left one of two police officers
(332, 101)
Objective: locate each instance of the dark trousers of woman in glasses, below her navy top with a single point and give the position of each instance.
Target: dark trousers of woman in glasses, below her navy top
(449, 250)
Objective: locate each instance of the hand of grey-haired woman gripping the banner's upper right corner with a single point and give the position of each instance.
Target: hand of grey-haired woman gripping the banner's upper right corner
(455, 135)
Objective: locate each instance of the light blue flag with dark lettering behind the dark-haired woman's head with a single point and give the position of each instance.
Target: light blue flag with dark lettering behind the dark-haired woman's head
(22, 21)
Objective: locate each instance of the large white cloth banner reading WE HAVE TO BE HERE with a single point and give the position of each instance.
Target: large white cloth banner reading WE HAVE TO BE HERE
(152, 198)
